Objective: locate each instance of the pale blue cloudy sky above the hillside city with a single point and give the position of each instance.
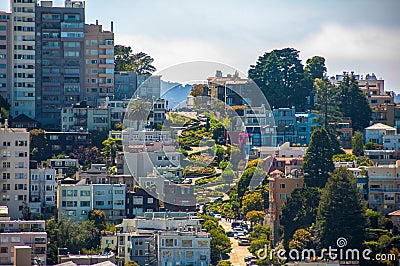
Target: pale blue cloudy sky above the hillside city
(359, 35)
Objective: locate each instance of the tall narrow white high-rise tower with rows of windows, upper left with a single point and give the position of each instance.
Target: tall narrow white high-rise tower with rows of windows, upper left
(23, 59)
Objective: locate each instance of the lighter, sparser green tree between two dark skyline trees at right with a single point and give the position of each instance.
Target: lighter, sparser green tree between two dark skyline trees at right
(327, 104)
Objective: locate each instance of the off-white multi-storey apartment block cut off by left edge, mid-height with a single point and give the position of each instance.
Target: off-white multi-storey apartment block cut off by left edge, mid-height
(14, 182)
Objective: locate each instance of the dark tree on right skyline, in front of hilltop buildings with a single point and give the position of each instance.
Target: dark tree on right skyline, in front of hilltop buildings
(354, 103)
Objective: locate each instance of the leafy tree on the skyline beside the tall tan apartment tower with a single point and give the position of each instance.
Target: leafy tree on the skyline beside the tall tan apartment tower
(126, 60)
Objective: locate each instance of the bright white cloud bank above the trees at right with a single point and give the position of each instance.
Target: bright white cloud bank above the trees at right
(363, 49)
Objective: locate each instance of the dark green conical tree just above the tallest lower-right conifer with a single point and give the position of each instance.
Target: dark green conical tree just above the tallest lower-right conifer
(318, 164)
